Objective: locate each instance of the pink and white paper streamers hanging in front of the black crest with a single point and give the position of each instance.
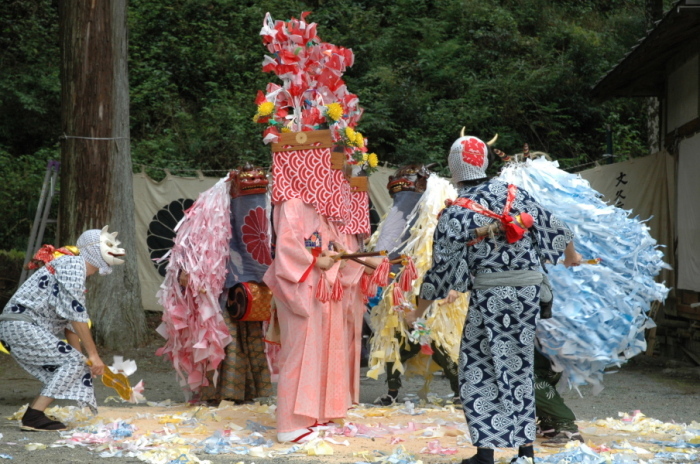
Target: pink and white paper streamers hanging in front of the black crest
(193, 324)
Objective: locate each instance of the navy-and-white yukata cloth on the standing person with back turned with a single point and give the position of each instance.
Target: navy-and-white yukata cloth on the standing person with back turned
(496, 354)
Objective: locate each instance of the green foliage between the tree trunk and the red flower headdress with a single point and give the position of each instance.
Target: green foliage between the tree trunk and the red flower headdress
(195, 69)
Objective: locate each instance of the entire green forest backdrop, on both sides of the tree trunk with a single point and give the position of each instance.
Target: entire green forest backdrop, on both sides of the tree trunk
(423, 70)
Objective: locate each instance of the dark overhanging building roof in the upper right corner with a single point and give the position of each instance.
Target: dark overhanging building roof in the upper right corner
(641, 72)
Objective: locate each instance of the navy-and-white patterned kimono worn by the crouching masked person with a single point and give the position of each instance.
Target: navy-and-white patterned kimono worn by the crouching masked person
(33, 329)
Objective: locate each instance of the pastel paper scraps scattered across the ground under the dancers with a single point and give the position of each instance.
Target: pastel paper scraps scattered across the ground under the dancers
(169, 433)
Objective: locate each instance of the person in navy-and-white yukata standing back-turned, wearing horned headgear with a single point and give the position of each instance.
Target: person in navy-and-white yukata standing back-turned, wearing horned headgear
(489, 242)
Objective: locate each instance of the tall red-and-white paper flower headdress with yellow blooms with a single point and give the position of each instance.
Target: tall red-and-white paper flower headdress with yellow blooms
(313, 95)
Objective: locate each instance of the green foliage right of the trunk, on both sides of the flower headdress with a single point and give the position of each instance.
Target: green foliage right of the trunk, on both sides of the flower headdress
(423, 70)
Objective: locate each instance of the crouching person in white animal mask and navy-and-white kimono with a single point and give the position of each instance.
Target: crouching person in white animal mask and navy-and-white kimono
(50, 306)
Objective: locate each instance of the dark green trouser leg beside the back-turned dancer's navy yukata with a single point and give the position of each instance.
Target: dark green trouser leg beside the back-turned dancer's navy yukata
(550, 408)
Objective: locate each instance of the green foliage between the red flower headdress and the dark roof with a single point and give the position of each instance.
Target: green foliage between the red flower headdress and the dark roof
(520, 69)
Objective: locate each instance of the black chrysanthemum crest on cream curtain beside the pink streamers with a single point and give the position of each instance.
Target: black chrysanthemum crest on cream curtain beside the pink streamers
(161, 231)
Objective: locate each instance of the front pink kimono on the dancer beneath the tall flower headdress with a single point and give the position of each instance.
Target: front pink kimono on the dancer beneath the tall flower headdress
(314, 378)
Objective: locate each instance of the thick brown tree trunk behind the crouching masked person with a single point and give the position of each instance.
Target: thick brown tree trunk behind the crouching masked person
(96, 175)
